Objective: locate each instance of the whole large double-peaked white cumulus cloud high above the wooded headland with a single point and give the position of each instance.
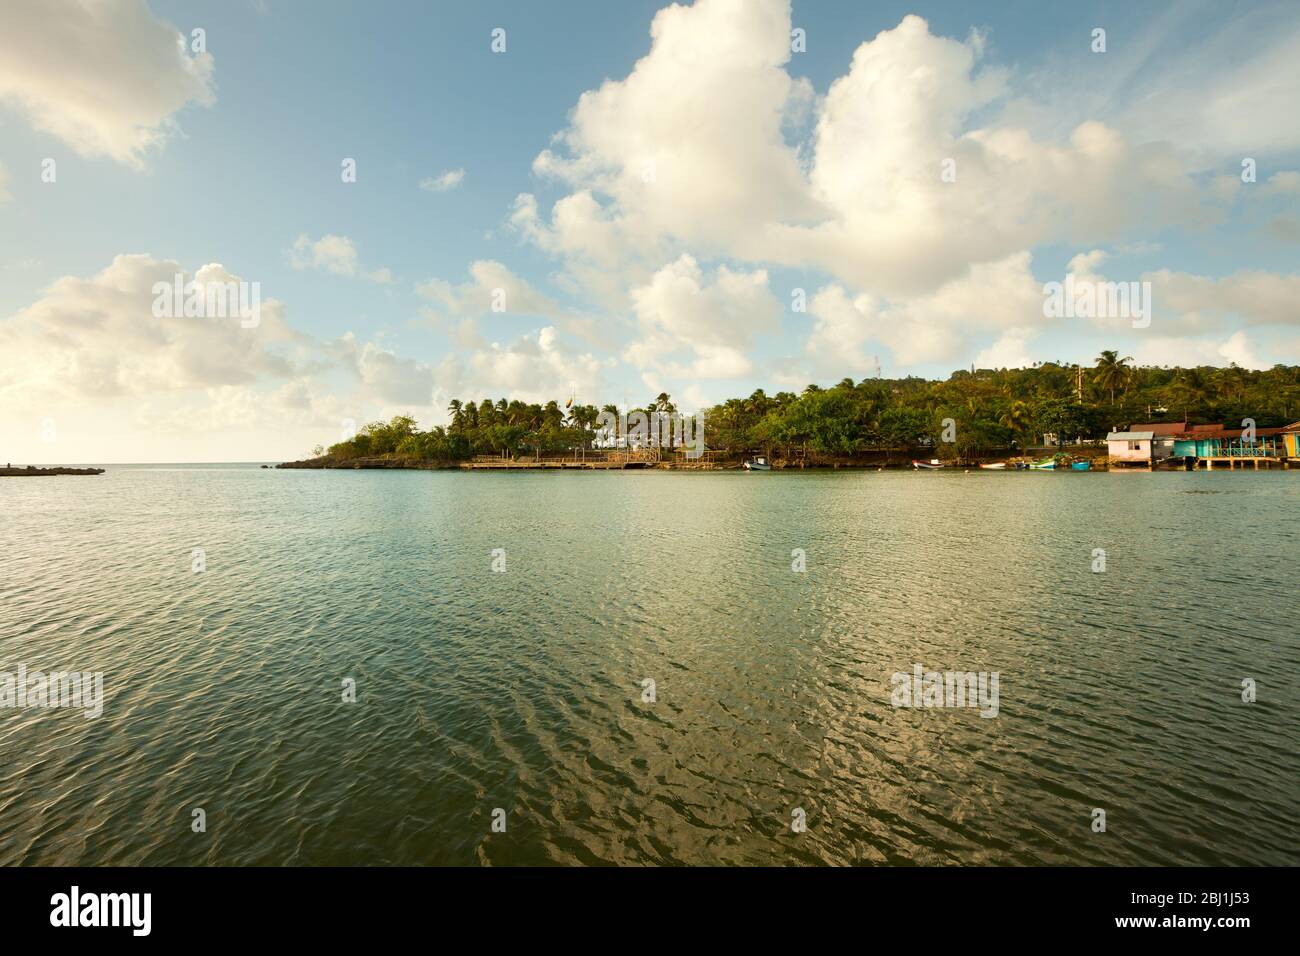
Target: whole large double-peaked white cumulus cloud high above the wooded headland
(658, 167)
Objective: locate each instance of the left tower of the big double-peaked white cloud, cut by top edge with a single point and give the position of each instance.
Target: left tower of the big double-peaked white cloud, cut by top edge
(655, 159)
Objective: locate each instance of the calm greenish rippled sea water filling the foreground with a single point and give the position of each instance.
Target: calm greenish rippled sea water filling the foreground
(523, 691)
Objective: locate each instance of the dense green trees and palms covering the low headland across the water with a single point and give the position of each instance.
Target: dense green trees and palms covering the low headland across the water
(989, 409)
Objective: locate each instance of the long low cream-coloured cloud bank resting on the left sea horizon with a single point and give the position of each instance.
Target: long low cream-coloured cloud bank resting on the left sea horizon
(92, 354)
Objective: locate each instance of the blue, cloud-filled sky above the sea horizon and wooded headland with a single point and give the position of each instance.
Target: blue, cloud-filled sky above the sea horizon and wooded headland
(612, 201)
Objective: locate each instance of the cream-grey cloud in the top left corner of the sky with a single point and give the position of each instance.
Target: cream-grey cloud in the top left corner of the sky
(105, 77)
